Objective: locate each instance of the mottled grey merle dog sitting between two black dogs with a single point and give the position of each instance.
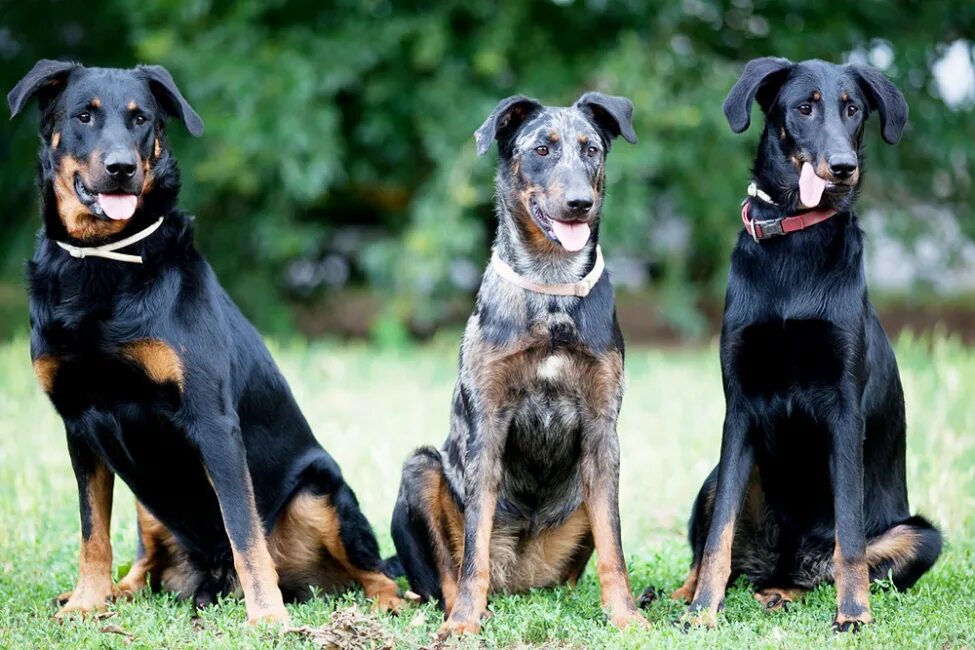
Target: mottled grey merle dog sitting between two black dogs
(526, 484)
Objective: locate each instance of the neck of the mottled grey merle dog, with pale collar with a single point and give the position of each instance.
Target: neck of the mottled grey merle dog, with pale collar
(550, 264)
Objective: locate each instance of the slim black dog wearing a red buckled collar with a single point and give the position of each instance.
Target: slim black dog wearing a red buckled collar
(810, 486)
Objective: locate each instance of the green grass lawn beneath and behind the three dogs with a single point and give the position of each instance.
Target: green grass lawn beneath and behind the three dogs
(370, 408)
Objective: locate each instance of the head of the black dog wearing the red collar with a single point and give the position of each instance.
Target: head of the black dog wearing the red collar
(814, 117)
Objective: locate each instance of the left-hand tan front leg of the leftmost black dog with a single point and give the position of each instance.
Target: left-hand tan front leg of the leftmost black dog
(95, 482)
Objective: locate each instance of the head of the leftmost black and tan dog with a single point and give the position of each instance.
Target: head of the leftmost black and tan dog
(103, 139)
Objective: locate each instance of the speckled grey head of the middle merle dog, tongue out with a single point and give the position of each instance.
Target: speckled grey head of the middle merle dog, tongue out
(553, 162)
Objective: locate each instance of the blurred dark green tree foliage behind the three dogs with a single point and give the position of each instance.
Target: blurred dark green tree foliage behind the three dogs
(337, 188)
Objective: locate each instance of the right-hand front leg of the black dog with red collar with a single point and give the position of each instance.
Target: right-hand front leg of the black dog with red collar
(850, 570)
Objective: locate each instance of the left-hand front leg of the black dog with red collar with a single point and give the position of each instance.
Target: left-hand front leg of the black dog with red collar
(734, 469)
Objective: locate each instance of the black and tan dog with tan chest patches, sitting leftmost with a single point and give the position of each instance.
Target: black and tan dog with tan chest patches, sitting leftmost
(159, 378)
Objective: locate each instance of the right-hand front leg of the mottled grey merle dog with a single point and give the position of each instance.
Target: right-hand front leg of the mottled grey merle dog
(600, 483)
